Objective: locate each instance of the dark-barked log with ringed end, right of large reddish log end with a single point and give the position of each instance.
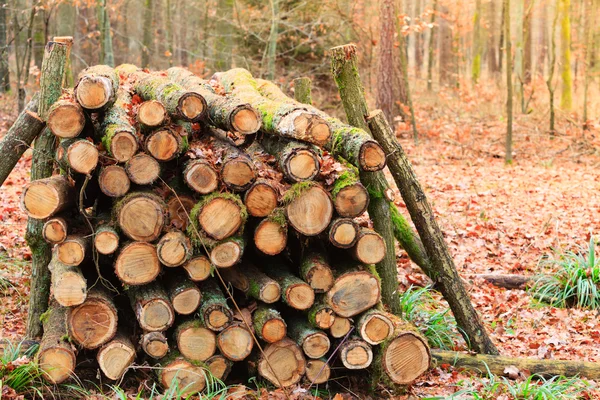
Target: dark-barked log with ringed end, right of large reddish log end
(152, 307)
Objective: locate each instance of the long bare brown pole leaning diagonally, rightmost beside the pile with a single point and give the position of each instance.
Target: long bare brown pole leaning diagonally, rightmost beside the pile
(442, 270)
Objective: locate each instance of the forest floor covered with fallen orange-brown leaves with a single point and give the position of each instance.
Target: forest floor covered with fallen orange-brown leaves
(495, 217)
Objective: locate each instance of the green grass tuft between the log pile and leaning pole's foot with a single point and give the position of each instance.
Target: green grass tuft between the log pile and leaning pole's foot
(435, 323)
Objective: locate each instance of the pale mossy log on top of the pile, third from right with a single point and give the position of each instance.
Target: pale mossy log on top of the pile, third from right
(224, 112)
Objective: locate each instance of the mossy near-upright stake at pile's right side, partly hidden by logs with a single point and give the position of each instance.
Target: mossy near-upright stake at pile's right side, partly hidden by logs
(345, 72)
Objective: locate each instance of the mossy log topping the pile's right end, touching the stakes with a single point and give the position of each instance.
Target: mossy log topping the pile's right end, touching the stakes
(352, 143)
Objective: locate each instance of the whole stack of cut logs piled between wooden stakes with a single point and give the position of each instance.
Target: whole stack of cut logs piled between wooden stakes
(193, 220)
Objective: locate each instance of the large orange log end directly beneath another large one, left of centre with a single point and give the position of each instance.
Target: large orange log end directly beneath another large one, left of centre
(137, 264)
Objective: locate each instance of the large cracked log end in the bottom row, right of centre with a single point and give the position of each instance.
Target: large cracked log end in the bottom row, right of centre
(283, 363)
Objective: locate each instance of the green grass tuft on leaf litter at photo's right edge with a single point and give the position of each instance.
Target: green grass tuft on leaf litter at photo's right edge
(575, 281)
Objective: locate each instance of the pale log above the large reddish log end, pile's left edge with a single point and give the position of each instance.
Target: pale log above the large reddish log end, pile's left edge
(69, 287)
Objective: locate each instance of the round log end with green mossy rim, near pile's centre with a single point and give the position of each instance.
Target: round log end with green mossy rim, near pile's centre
(220, 218)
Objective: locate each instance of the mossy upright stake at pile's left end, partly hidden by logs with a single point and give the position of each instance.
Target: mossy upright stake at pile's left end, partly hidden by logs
(53, 67)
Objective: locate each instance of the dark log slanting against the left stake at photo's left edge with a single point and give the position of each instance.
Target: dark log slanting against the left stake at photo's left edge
(19, 137)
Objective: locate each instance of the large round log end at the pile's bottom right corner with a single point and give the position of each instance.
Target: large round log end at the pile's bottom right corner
(406, 358)
